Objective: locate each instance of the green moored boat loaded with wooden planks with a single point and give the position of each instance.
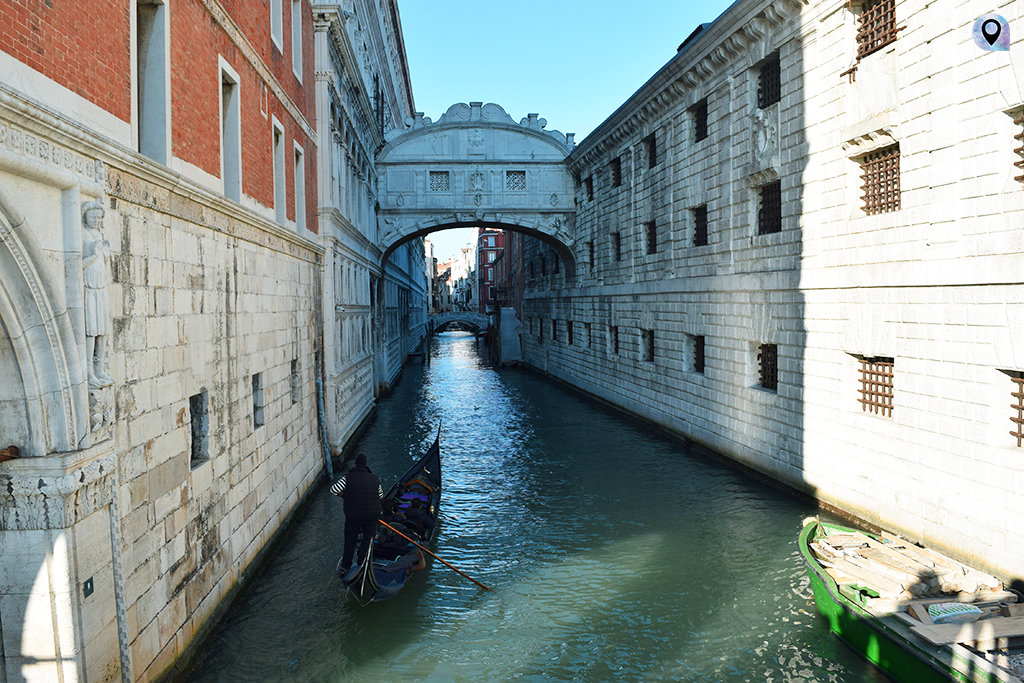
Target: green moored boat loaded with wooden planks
(887, 600)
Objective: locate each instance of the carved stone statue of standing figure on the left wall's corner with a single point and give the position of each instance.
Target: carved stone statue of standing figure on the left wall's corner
(97, 272)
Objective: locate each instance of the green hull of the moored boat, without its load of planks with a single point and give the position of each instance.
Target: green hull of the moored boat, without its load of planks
(882, 633)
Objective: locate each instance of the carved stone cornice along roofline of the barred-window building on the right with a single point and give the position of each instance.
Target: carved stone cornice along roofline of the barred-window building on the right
(723, 42)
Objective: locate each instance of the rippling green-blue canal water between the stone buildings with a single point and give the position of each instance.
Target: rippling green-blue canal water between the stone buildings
(614, 554)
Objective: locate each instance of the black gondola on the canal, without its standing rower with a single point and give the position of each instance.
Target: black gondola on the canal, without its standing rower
(386, 571)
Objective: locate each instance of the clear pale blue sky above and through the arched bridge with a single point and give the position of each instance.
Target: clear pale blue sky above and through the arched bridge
(573, 62)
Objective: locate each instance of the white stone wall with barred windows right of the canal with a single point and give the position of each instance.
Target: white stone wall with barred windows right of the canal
(934, 285)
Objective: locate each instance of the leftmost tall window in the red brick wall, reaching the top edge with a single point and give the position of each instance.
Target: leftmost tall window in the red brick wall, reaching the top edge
(152, 66)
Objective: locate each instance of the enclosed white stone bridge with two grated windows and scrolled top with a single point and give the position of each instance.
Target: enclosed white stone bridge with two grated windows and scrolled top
(477, 167)
